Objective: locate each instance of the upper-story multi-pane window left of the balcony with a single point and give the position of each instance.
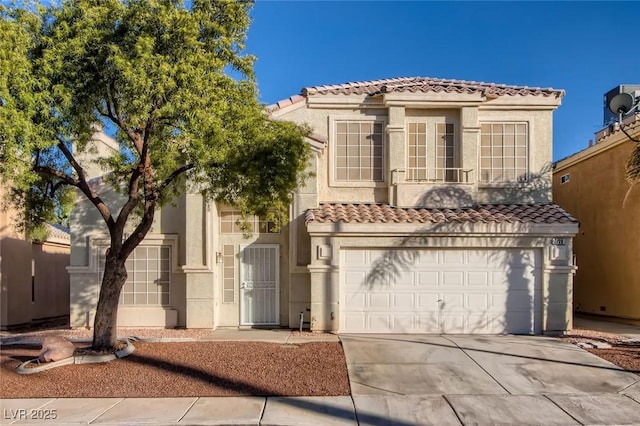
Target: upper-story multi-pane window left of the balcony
(358, 153)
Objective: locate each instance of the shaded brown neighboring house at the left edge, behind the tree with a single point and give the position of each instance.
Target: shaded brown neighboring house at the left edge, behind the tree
(34, 285)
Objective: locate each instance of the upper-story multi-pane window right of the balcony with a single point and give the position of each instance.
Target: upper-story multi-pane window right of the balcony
(504, 154)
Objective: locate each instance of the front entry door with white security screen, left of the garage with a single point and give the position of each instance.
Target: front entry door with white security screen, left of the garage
(259, 284)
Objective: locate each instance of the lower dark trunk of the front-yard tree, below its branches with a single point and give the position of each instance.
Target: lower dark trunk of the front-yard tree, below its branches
(104, 327)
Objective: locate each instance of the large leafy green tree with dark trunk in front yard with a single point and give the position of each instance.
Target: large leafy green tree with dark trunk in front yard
(170, 77)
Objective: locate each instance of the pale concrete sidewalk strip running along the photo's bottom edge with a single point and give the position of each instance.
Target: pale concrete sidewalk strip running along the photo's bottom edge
(399, 410)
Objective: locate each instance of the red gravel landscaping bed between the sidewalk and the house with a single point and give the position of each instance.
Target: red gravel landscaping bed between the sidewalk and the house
(199, 368)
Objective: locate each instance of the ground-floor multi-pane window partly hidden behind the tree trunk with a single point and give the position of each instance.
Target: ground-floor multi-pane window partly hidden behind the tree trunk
(148, 276)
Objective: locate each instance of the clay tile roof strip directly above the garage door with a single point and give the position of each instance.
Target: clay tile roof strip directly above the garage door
(496, 213)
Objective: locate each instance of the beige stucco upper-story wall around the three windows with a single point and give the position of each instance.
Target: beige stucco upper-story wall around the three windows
(465, 112)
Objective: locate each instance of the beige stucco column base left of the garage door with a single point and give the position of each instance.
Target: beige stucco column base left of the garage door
(324, 298)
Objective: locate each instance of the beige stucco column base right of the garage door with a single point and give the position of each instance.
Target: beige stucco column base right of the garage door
(558, 300)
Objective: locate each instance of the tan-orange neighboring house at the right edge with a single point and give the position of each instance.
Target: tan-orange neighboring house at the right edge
(591, 185)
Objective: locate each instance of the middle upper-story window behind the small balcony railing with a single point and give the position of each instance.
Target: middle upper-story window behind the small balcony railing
(432, 158)
